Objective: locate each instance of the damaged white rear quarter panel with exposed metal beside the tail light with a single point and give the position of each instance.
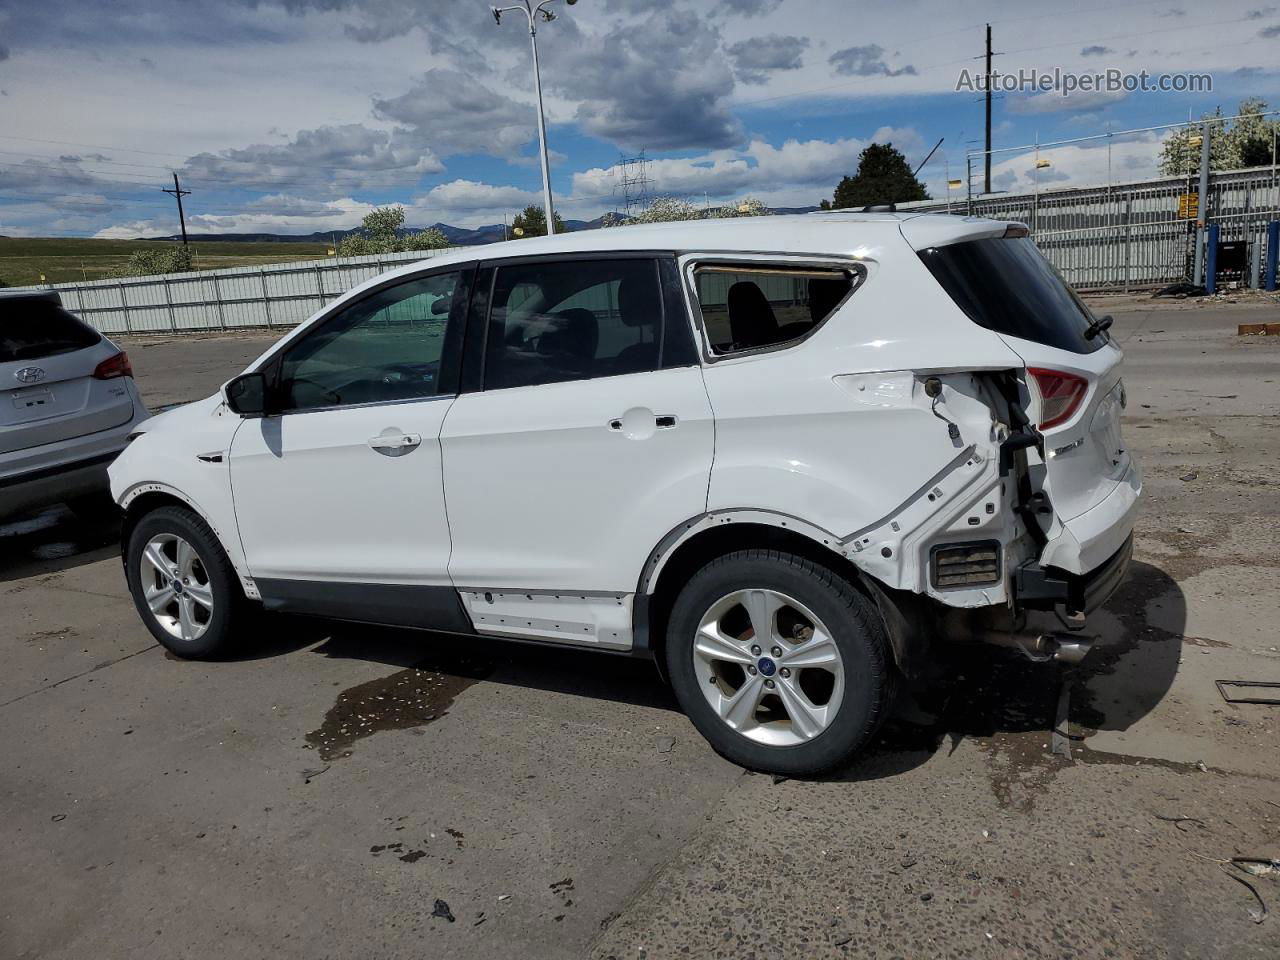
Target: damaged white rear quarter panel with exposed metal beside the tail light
(839, 433)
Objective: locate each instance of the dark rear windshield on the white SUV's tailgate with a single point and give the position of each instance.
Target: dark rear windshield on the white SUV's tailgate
(1009, 287)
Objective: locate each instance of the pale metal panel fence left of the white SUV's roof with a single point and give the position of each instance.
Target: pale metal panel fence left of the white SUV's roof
(232, 299)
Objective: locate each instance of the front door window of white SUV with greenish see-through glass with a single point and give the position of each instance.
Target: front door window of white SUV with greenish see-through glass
(386, 348)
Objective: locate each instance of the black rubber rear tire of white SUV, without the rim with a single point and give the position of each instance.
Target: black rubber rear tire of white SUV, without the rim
(857, 628)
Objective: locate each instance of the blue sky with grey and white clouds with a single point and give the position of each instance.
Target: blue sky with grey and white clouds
(300, 116)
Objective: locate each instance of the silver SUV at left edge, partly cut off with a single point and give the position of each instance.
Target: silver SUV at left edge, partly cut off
(67, 406)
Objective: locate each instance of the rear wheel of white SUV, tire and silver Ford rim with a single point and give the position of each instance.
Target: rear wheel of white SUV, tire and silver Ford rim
(781, 665)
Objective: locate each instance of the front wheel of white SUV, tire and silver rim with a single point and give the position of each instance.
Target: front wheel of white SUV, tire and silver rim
(184, 586)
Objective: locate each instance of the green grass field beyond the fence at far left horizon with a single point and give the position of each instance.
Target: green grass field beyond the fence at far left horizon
(68, 259)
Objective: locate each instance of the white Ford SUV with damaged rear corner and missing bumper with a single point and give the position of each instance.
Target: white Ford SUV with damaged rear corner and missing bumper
(776, 455)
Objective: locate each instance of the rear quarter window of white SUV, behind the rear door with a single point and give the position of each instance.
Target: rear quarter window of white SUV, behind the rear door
(749, 308)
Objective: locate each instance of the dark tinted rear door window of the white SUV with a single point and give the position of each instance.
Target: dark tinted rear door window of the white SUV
(572, 321)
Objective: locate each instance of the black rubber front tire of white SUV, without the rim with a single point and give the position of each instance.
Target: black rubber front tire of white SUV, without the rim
(230, 615)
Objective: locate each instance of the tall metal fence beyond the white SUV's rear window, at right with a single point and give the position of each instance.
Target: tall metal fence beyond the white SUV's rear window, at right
(1131, 236)
